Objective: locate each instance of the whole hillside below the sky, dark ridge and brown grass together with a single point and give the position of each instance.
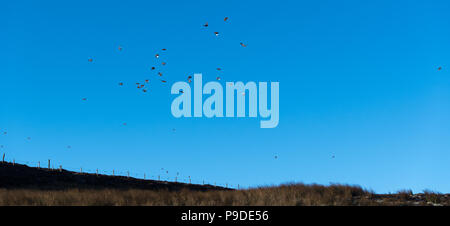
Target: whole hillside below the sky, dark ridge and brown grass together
(22, 185)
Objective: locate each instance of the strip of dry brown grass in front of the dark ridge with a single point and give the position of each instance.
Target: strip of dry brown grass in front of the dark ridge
(284, 195)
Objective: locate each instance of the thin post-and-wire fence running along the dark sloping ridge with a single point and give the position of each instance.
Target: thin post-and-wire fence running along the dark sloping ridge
(163, 175)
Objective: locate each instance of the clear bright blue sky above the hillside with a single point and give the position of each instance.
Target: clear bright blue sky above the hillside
(358, 80)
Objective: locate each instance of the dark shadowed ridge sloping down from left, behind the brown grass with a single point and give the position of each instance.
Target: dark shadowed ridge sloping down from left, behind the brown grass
(17, 176)
